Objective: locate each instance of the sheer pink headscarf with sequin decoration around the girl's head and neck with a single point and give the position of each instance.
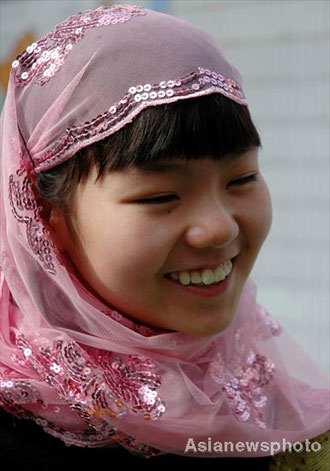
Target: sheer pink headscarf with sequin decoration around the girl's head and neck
(78, 368)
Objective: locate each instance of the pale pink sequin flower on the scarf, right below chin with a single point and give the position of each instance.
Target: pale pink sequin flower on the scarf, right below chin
(242, 380)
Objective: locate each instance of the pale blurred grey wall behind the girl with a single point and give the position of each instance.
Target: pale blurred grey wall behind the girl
(282, 50)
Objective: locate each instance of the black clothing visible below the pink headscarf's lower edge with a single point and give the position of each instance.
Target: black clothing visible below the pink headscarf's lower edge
(24, 444)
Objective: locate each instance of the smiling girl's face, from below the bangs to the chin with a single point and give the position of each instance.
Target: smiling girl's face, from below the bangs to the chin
(136, 226)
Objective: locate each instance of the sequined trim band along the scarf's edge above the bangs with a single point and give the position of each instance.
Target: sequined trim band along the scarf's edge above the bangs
(138, 97)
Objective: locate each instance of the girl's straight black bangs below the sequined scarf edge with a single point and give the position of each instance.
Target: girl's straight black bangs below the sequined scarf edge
(211, 126)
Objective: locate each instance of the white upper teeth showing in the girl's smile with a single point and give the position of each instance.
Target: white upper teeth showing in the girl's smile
(206, 276)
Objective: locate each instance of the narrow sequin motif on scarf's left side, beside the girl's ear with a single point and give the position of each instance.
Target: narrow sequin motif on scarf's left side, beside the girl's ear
(26, 211)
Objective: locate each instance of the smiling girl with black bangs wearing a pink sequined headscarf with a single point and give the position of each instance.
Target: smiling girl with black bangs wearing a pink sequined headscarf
(132, 212)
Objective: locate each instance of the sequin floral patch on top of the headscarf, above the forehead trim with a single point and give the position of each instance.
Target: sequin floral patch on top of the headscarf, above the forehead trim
(42, 59)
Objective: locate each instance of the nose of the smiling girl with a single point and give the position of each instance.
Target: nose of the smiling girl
(213, 225)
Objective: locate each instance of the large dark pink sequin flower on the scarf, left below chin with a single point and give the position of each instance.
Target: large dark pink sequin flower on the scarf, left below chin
(97, 385)
